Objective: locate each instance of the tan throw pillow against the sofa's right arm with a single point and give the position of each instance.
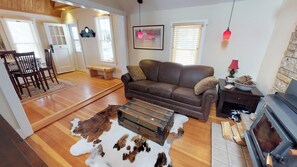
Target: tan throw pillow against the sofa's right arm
(205, 84)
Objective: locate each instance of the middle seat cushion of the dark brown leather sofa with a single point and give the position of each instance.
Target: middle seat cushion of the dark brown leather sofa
(162, 89)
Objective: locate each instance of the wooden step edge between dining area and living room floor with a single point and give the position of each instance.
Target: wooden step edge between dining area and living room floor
(68, 110)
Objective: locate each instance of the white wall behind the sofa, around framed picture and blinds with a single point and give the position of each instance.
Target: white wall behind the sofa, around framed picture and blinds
(252, 25)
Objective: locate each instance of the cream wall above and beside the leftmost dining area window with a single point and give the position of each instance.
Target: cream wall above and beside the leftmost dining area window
(39, 20)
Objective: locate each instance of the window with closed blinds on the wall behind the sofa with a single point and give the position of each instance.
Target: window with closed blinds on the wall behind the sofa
(186, 42)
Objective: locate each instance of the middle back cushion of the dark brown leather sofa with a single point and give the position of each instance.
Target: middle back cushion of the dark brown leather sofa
(170, 73)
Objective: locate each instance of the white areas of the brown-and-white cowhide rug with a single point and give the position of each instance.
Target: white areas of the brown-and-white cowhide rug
(114, 158)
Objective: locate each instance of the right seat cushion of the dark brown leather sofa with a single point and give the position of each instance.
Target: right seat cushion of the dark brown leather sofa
(186, 95)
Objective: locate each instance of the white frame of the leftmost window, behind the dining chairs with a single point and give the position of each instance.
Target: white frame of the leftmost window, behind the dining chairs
(34, 30)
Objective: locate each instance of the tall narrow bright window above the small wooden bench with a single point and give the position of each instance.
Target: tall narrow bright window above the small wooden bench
(105, 38)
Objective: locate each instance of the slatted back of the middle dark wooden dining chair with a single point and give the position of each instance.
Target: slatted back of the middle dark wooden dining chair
(26, 62)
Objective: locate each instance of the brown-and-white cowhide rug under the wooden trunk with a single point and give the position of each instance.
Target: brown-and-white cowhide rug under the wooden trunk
(111, 145)
